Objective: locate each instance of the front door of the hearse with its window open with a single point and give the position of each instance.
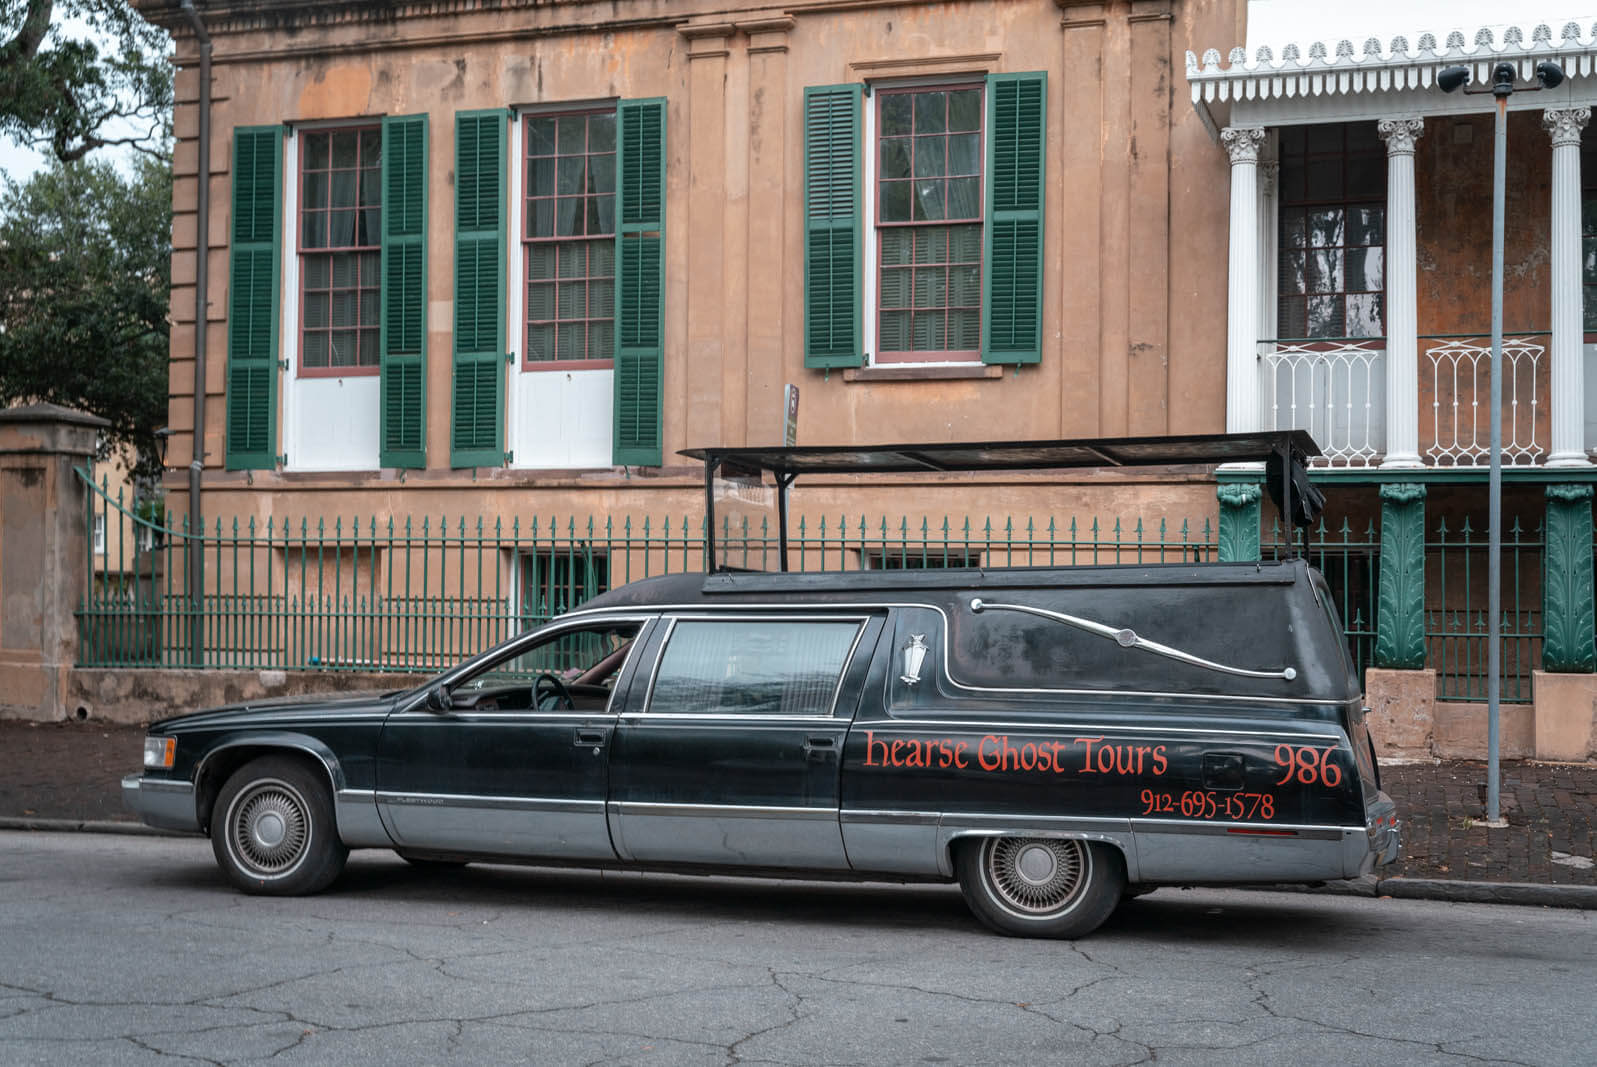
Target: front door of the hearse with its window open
(517, 766)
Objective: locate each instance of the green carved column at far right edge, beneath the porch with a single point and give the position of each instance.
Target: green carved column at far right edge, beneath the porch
(1567, 585)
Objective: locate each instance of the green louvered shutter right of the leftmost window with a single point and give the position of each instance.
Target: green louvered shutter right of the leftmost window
(403, 359)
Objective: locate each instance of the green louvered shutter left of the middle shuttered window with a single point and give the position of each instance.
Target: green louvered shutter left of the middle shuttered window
(478, 419)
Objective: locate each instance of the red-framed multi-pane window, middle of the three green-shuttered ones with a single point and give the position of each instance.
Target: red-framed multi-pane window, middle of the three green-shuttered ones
(569, 242)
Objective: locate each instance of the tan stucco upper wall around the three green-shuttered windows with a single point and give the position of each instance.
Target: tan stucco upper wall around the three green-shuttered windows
(1136, 199)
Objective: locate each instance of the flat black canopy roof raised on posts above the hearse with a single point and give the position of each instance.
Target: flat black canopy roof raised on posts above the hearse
(1013, 456)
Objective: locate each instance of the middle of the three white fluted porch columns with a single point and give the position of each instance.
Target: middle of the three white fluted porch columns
(1403, 317)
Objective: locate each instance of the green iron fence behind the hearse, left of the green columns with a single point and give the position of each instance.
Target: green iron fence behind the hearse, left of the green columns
(418, 595)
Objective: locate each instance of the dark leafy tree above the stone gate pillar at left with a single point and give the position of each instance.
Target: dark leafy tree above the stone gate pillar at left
(85, 274)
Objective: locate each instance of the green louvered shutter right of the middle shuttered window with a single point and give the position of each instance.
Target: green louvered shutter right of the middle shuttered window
(641, 282)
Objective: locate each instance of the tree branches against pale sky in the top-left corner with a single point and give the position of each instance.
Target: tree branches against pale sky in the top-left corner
(61, 92)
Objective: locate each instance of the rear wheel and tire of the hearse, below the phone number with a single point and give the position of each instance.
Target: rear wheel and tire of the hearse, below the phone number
(1040, 887)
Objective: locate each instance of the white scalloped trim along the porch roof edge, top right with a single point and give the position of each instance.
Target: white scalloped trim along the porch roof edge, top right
(1377, 69)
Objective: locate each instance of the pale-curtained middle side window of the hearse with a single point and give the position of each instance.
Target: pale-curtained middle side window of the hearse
(753, 667)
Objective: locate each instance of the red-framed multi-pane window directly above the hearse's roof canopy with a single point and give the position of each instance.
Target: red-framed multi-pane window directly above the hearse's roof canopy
(929, 220)
